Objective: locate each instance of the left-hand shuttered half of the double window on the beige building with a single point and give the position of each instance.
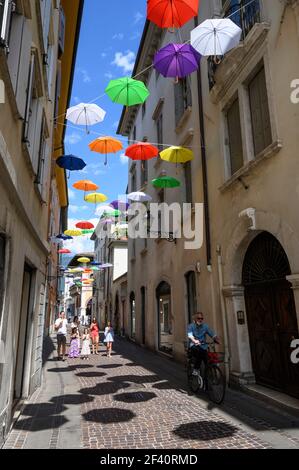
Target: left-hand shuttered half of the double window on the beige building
(234, 137)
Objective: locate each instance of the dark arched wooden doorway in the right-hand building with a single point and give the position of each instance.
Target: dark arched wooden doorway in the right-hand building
(271, 313)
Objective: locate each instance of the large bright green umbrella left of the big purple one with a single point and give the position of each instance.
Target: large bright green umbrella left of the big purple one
(127, 91)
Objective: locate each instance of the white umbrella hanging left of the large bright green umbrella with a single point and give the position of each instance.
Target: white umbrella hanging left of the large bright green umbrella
(85, 114)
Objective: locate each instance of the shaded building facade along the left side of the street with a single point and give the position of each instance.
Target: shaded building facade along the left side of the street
(31, 33)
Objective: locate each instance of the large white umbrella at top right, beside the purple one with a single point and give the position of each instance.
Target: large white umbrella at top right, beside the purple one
(215, 37)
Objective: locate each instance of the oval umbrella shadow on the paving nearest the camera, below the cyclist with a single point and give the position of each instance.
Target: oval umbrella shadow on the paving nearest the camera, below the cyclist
(205, 430)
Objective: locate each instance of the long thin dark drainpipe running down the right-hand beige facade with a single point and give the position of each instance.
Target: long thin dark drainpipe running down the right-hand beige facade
(204, 166)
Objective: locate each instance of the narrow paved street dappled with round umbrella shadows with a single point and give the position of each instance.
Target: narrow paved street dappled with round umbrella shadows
(139, 400)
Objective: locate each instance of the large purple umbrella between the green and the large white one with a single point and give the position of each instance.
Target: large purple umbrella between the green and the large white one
(177, 60)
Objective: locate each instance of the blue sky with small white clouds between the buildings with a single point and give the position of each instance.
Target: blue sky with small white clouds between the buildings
(108, 44)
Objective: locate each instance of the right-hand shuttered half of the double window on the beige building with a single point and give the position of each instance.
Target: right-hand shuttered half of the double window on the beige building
(260, 115)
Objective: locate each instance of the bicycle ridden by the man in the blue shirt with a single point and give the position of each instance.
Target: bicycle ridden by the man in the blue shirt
(211, 378)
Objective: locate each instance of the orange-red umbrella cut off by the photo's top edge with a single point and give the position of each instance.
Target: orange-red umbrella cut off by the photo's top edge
(171, 13)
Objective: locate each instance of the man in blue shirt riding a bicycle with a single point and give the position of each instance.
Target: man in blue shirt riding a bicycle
(197, 332)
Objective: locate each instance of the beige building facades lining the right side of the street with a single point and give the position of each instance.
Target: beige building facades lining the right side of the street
(241, 123)
